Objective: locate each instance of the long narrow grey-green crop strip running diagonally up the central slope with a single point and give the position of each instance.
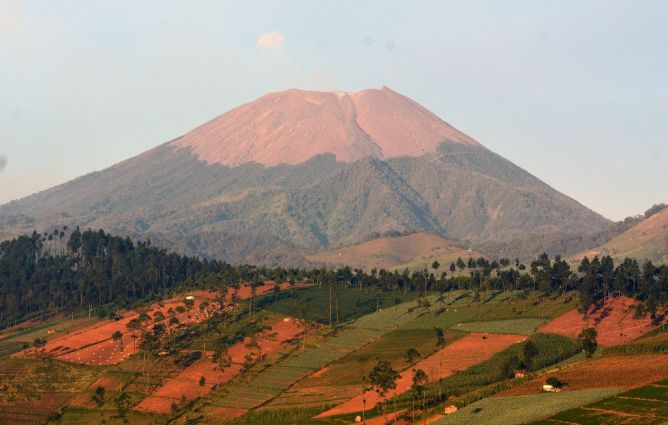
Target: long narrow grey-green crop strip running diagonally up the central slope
(278, 378)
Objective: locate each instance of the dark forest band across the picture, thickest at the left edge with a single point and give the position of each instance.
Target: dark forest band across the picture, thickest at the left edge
(43, 274)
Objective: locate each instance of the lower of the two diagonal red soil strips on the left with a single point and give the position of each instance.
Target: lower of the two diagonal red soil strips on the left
(186, 383)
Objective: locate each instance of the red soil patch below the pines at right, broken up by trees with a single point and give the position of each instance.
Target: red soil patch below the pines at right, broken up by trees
(614, 322)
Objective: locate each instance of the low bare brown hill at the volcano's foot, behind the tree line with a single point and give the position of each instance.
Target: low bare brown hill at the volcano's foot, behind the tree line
(414, 251)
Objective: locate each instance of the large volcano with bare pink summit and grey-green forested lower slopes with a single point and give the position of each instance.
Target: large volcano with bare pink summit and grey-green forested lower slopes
(296, 172)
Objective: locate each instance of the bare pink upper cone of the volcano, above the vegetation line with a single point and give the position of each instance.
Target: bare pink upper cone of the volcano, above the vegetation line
(292, 126)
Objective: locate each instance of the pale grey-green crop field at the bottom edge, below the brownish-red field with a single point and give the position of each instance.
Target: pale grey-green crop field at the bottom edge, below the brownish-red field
(522, 409)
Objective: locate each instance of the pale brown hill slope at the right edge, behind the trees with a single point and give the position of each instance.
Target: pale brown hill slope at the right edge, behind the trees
(647, 240)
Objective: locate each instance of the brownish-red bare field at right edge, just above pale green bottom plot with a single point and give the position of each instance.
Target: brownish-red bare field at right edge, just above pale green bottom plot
(614, 371)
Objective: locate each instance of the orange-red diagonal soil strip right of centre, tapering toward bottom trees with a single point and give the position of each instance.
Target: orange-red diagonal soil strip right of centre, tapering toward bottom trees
(467, 351)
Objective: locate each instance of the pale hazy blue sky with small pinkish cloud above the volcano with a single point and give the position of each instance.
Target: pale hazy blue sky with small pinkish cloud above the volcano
(574, 92)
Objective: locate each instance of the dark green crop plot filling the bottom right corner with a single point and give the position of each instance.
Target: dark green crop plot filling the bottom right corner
(645, 405)
